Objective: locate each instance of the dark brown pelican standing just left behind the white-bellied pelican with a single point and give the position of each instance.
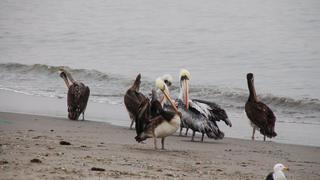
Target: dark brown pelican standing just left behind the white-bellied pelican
(133, 99)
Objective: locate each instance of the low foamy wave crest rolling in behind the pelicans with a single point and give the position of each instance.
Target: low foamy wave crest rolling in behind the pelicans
(114, 86)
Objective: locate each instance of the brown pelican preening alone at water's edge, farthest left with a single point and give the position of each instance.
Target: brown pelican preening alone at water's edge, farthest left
(78, 95)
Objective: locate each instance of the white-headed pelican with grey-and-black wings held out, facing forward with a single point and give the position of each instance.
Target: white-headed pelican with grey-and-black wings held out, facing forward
(200, 115)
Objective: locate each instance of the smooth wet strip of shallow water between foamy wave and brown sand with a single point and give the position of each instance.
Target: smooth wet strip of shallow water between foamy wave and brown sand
(288, 133)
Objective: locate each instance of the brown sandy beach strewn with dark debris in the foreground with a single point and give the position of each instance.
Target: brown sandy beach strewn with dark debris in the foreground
(96, 144)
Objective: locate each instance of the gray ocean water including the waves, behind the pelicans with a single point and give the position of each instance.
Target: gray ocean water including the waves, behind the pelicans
(105, 44)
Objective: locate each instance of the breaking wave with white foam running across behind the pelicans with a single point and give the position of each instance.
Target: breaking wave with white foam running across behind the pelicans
(107, 86)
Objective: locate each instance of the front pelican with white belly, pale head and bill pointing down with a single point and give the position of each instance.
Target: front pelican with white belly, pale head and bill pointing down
(161, 123)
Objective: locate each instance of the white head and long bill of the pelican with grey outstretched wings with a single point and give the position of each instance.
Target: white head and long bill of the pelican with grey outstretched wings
(184, 87)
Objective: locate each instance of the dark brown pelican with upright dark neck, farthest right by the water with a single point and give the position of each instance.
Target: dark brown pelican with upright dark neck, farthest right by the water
(260, 115)
